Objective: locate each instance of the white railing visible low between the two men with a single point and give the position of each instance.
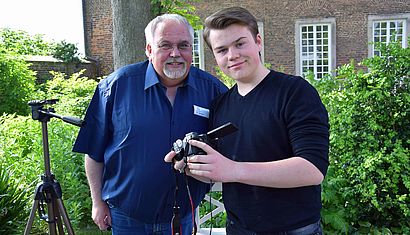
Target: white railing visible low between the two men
(217, 187)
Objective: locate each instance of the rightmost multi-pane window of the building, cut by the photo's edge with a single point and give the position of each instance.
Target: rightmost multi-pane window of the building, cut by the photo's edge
(386, 29)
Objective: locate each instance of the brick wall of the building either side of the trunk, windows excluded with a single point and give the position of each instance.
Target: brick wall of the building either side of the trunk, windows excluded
(278, 17)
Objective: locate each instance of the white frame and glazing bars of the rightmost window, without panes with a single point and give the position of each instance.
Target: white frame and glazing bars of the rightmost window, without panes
(372, 19)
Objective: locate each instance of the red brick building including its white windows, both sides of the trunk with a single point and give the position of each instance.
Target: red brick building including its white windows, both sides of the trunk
(298, 35)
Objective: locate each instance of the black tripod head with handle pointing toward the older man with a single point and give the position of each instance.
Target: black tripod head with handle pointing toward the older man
(42, 114)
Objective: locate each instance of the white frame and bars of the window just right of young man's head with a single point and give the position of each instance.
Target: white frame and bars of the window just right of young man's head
(331, 44)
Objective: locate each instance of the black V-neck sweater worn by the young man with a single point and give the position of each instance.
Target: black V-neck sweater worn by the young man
(281, 117)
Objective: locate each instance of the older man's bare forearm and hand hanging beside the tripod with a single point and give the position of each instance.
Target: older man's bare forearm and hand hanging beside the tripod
(100, 211)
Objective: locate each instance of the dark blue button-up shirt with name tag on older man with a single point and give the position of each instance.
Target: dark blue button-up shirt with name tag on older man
(131, 125)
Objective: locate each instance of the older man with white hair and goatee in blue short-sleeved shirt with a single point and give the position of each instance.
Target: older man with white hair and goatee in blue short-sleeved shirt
(135, 115)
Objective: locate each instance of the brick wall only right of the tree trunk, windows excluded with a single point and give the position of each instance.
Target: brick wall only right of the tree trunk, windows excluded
(279, 19)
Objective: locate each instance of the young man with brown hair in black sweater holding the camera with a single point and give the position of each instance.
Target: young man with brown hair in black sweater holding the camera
(272, 167)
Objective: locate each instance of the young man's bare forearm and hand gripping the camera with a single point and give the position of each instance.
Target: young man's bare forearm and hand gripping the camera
(287, 173)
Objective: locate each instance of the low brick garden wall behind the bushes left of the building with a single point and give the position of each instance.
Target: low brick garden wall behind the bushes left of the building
(42, 65)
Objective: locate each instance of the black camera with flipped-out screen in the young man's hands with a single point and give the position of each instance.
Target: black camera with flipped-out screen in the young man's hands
(183, 149)
